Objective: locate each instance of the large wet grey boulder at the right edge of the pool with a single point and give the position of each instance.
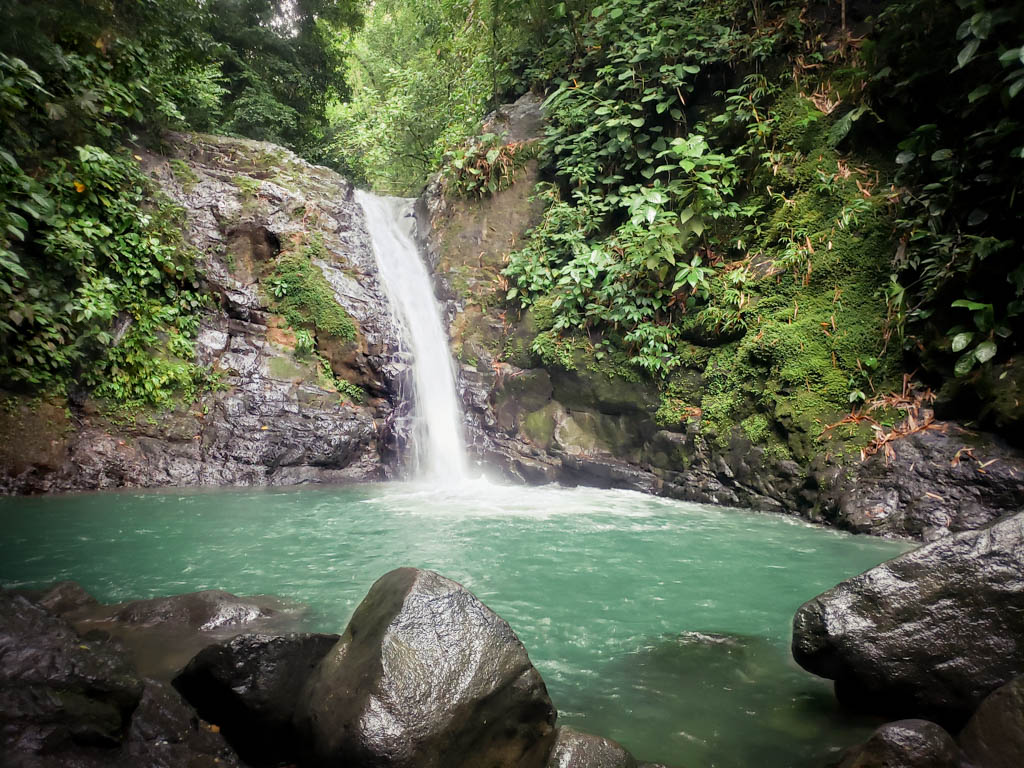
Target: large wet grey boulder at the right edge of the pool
(928, 634)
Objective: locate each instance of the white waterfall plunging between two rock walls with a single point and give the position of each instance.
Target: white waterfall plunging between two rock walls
(438, 438)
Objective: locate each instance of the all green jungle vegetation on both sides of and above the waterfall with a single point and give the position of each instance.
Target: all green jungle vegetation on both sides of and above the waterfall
(799, 201)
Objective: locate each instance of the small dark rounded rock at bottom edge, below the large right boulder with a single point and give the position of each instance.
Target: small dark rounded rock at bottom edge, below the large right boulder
(906, 744)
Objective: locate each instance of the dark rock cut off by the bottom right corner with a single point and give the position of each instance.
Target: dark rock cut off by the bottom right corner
(995, 736)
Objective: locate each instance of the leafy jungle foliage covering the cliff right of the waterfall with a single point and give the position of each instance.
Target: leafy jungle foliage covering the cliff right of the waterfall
(761, 193)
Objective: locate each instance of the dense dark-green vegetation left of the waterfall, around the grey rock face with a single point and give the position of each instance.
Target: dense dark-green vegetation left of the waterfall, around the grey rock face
(98, 292)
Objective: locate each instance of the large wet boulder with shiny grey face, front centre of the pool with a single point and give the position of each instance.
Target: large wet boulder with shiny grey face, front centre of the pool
(426, 676)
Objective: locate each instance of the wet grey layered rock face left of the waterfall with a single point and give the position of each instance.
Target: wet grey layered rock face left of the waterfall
(275, 418)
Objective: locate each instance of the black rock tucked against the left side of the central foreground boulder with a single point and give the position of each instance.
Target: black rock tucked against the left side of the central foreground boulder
(250, 687)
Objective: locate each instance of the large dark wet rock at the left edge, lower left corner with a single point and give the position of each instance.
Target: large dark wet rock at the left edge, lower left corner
(56, 688)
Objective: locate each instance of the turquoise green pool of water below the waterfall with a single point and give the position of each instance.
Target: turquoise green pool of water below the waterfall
(660, 624)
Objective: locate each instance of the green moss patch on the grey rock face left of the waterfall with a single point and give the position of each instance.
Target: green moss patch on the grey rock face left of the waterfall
(304, 296)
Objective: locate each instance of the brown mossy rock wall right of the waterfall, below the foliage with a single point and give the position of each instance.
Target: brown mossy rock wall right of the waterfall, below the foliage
(576, 419)
